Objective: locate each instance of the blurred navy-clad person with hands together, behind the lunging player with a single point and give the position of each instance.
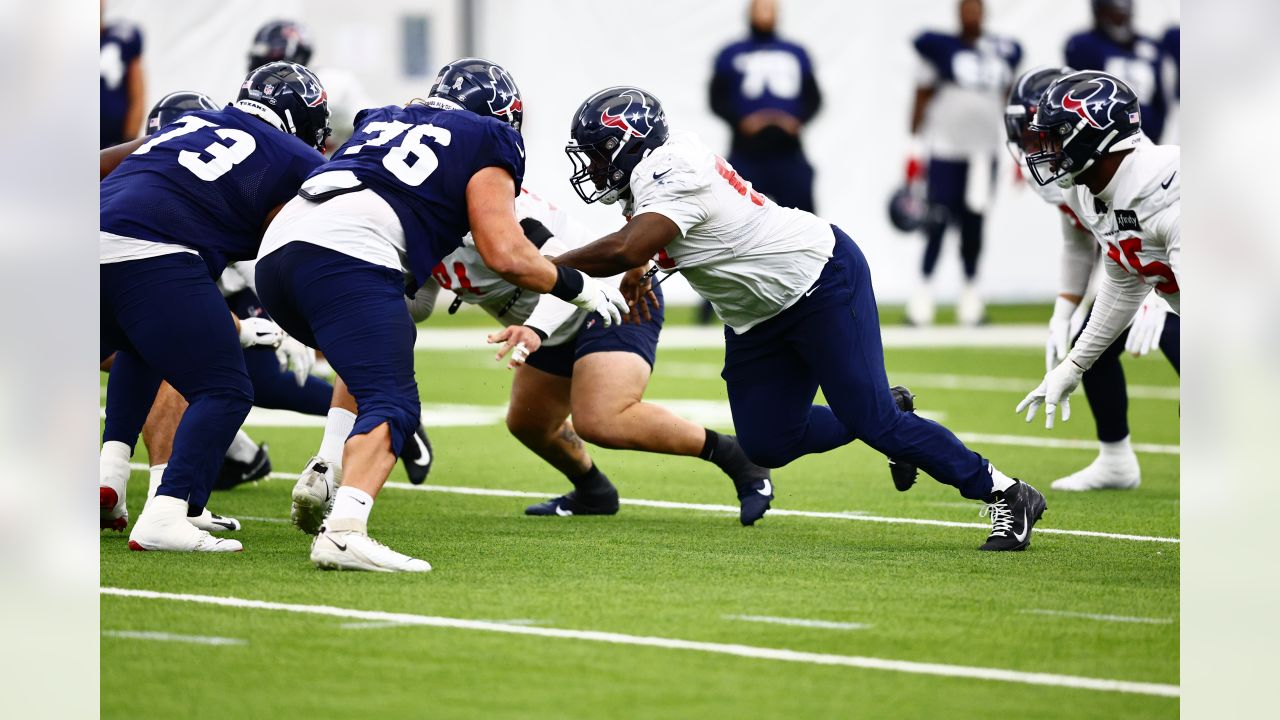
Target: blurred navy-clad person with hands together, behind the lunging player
(766, 90)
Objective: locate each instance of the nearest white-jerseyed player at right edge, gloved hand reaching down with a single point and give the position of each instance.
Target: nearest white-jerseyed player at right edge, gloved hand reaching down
(1127, 193)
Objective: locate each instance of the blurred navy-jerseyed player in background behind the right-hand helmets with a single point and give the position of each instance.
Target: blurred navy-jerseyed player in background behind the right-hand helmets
(1114, 48)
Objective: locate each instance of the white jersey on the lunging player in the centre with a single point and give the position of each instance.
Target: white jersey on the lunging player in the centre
(743, 253)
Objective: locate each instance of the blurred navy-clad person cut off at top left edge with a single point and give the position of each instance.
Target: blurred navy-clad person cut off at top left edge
(122, 103)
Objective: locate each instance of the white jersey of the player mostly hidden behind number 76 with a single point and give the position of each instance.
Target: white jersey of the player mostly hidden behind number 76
(465, 275)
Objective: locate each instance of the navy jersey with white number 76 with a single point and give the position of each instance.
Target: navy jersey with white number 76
(420, 160)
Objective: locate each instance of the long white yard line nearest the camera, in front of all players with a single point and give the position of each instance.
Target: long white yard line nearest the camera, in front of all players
(936, 669)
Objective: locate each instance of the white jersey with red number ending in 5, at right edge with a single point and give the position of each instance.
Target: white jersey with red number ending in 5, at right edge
(1137, 220)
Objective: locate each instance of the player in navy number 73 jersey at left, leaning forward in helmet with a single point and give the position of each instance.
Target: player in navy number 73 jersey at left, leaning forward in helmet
(175, 211)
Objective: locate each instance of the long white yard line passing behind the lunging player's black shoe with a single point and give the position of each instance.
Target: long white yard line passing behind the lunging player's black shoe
(732, 509)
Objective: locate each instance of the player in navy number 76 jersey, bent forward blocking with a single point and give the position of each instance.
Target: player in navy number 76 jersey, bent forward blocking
(368, 229)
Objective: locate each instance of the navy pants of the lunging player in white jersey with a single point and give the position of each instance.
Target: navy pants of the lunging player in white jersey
(831, 340)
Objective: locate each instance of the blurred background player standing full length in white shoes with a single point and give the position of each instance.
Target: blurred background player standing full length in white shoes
(957, 124)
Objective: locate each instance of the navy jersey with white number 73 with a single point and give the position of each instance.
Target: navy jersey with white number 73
(207, 181)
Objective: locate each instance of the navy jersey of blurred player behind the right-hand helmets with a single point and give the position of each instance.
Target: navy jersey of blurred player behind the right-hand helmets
(1139, 66)
